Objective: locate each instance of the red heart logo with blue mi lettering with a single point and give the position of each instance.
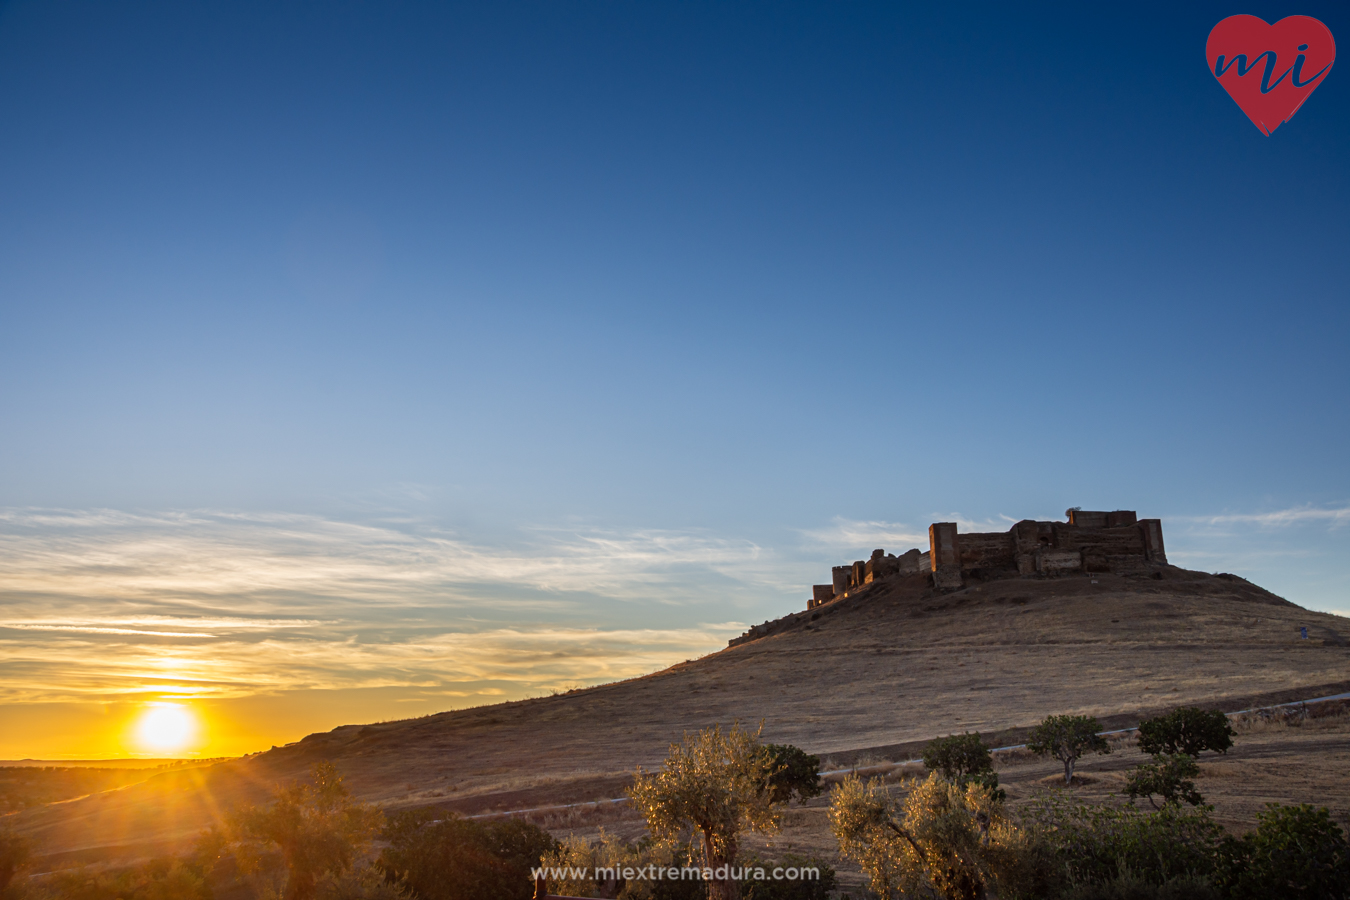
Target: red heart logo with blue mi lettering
(1270, 69)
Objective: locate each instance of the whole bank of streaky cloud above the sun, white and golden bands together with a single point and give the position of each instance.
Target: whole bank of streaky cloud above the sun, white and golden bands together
(106, 605)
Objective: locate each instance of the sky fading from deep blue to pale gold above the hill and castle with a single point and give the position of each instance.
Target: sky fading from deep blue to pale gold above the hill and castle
(611, 316)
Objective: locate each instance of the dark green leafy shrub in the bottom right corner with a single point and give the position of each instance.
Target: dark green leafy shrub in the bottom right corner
(1295, 852)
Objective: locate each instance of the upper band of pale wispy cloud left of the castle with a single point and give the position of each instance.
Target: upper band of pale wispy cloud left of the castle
(203, 555)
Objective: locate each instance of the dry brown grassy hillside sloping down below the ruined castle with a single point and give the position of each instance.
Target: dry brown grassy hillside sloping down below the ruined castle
(893, 665)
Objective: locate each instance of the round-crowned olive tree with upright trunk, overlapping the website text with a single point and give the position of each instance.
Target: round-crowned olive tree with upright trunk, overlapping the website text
(715, 785)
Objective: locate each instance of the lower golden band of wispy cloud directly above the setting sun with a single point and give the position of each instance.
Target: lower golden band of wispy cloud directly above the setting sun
(449, 665)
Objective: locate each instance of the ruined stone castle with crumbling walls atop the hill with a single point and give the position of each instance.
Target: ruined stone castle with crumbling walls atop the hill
(1090, 542)
